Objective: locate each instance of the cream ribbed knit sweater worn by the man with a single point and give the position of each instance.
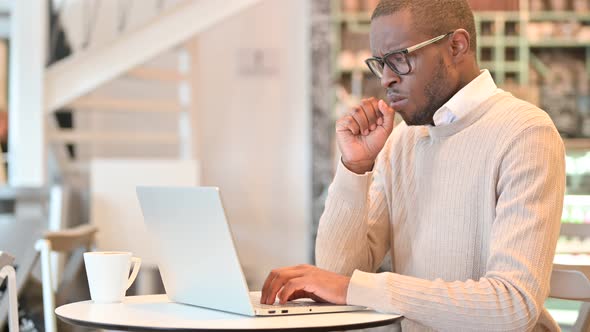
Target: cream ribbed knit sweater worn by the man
(470, 212)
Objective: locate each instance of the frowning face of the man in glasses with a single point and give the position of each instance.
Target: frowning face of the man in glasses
(419, 94)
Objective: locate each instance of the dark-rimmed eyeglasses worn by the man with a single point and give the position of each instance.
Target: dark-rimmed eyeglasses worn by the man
(398, 60)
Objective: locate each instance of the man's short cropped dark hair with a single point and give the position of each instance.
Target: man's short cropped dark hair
(433, 17)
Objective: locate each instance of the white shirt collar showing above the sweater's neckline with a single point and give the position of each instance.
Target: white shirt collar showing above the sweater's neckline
(467, 99)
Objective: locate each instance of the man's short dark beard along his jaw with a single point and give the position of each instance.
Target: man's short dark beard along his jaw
(436, 93)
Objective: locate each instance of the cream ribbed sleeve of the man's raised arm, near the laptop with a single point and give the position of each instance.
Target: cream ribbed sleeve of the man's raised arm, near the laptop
(356, 213)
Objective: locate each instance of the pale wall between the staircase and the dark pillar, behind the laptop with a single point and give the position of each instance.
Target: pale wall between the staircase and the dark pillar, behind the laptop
(254, 131)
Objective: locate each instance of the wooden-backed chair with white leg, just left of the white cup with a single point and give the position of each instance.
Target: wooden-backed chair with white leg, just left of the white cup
(75, 242)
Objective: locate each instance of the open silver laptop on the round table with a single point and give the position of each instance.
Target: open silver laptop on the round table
(197, 257)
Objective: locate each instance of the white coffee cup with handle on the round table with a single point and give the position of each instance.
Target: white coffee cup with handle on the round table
(108, 274)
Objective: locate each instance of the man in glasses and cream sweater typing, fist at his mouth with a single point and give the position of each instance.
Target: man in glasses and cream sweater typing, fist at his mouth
(466, 195)
